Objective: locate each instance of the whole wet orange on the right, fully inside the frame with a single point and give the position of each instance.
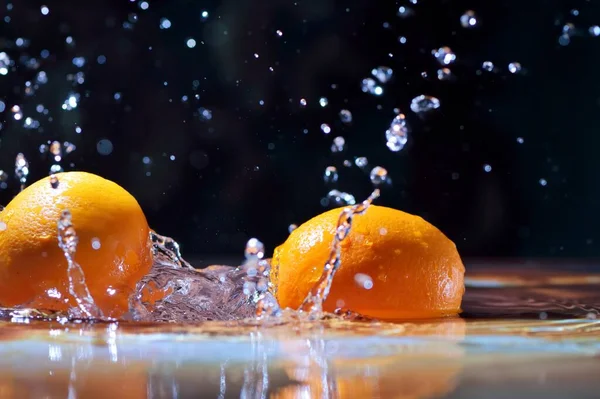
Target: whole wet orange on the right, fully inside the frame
(411, 269)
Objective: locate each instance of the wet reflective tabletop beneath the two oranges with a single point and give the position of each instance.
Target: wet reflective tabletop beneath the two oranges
(524, 333)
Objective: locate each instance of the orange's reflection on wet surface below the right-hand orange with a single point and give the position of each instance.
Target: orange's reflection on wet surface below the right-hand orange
(411, 371)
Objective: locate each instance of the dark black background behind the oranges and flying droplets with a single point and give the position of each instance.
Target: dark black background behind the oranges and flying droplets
(251, 170)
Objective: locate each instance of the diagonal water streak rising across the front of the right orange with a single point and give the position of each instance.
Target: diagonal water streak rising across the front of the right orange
(313, 303)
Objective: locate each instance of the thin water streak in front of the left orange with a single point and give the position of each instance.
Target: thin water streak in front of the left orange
(67, 241)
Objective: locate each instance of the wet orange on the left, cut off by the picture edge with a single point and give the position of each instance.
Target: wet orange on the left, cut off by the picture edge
(33, 269)
